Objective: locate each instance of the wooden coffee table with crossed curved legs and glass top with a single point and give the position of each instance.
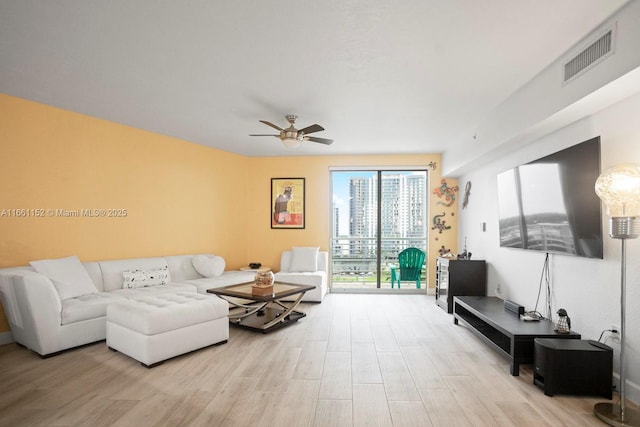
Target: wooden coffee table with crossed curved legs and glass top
(262, 313)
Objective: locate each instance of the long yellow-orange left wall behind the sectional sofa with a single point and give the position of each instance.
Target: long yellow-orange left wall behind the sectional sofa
(179, 197)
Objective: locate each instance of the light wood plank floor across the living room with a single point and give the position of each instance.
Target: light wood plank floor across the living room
(355, 360)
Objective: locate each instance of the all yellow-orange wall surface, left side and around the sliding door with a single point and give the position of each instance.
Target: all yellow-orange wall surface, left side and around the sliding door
(67, 180)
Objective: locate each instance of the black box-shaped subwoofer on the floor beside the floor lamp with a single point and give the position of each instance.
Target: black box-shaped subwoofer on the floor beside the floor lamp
(573, 367)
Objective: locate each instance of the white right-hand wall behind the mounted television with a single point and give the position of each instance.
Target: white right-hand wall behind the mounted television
(589, 289)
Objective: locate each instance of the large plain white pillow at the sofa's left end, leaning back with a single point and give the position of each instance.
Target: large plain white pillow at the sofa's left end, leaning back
(69, 277)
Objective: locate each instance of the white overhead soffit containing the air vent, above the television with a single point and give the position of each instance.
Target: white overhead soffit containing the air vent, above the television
(544, 104)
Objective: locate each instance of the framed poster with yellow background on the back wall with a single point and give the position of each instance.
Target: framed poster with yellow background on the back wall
(287, 203)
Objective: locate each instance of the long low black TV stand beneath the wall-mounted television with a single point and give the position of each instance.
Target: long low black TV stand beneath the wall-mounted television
(504, 331)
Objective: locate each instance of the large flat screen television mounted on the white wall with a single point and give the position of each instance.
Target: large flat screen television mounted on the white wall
(550, 204)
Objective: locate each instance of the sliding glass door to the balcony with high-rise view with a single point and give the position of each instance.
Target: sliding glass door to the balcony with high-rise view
(376, 214)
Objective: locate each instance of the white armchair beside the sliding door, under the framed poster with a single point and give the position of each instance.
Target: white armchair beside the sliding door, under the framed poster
(316, 278)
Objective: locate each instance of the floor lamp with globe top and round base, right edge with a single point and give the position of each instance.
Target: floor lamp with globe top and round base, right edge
(619, 189)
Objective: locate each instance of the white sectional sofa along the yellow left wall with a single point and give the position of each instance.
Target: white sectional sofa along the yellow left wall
(46, 323)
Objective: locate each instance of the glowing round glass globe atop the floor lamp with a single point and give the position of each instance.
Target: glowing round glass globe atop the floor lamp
(619, 189)
